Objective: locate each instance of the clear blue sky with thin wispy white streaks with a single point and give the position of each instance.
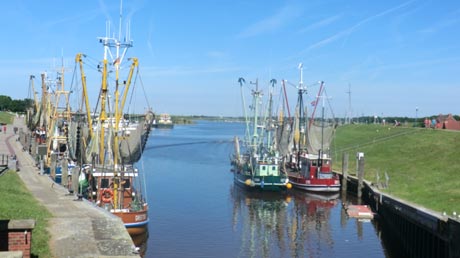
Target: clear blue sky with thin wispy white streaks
(397, 58)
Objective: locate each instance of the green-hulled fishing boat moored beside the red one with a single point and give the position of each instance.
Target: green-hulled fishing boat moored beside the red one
(257, 165)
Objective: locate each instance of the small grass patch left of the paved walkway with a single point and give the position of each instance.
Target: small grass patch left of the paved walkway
(17, 203)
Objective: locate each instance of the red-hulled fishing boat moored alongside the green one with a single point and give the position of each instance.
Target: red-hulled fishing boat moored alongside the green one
(310, 165)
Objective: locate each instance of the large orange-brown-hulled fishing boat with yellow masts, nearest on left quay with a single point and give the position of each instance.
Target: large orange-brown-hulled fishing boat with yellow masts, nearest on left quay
(113, 141)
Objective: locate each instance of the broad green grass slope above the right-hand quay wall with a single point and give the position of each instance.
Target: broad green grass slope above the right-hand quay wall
(422, 164)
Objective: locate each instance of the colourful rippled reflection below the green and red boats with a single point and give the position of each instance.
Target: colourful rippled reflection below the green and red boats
(292, 224)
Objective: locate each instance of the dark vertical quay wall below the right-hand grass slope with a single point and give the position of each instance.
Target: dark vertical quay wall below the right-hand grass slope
(415, 231)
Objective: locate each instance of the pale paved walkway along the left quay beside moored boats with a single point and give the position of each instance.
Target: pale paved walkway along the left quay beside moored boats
(78, 229)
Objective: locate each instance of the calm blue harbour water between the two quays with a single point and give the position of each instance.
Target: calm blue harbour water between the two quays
(196, 211)
